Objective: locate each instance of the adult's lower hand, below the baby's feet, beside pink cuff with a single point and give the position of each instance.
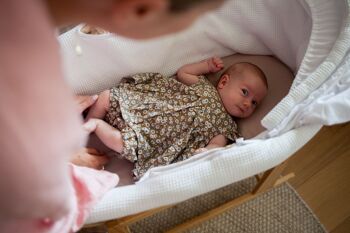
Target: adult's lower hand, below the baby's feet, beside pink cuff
(89, 157)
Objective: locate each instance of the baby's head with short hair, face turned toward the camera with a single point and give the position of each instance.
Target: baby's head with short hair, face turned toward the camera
(242, 93)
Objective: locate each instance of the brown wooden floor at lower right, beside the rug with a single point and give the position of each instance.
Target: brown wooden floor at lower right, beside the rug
(322, 170)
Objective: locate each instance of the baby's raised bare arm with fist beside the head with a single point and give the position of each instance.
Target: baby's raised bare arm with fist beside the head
(188, 74)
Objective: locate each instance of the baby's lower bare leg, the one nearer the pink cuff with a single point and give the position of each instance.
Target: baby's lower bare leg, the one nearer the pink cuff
(109, 135)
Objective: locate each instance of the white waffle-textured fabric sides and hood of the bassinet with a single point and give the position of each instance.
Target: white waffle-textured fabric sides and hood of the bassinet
(312, 37)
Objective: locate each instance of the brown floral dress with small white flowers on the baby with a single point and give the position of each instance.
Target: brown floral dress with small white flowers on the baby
(163, 121)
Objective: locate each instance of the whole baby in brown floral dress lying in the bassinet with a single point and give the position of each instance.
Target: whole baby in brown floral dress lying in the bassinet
(154, 120)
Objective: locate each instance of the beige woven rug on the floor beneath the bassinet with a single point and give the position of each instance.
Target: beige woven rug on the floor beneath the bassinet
(278, 210)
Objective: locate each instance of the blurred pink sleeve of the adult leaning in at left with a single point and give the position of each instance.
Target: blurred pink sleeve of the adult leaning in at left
(39, 124)
